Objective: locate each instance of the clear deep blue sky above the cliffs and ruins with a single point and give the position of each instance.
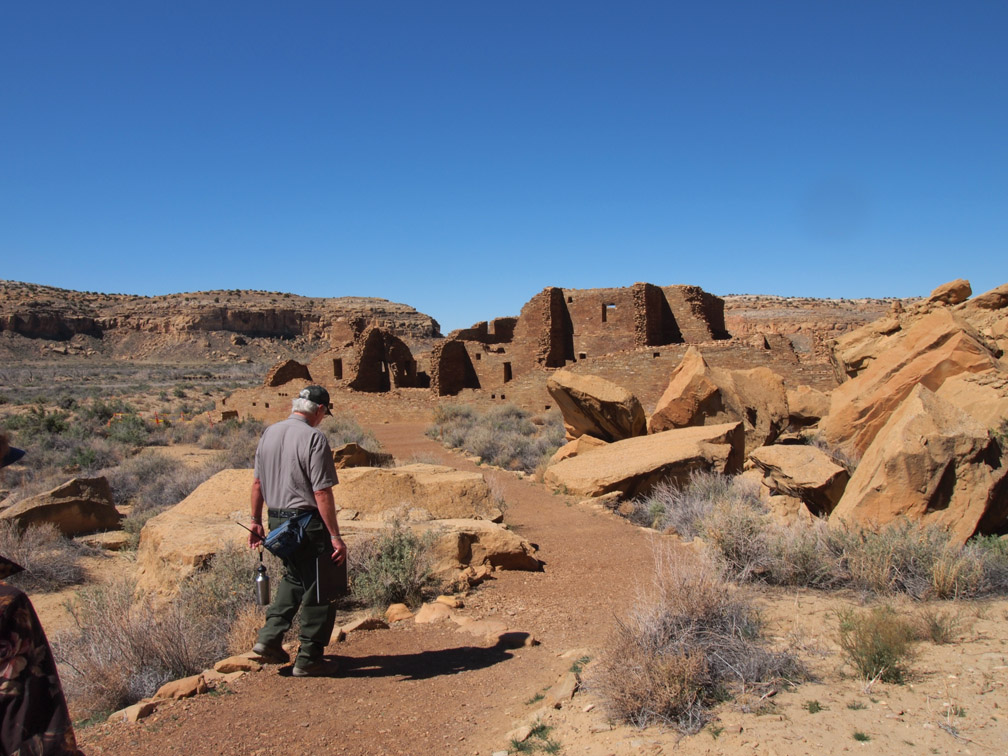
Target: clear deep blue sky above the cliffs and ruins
(459, 157)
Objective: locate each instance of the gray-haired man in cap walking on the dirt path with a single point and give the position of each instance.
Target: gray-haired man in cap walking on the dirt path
(295, 474)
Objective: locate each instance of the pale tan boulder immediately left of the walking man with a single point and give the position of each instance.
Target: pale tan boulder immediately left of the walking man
(185, 538)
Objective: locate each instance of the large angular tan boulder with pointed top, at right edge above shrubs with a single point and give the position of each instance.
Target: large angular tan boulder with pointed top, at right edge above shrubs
(931, 463)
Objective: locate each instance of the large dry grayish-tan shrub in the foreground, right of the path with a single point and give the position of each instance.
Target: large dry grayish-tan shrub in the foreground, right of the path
(689, 643)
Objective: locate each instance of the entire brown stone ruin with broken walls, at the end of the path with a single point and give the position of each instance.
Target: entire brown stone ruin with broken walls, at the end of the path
(555, 328)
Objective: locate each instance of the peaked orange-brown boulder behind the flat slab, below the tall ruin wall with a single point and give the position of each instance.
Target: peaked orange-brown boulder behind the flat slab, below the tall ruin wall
(701, 396)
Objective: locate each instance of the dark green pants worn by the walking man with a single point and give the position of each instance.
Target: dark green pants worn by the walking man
(298, 590)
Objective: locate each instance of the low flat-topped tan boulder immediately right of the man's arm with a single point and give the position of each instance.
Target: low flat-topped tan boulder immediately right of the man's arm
(446, 493)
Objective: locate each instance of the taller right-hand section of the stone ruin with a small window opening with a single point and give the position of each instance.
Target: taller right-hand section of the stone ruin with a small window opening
(559, 326)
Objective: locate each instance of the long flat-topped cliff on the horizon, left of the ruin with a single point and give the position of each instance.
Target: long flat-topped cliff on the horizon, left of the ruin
(48, 313)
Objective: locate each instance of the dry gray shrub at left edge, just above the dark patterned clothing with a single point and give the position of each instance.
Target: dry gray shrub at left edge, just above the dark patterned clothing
(50, 560)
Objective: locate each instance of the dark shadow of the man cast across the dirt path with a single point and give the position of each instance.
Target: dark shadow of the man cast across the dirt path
(425, 665)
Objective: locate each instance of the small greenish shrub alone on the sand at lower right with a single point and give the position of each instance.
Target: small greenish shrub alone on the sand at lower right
(878, 643)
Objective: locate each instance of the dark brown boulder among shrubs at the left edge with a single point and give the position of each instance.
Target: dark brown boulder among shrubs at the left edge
(82, 506)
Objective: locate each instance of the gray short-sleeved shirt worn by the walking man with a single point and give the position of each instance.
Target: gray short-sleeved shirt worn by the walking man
(294, 461)
